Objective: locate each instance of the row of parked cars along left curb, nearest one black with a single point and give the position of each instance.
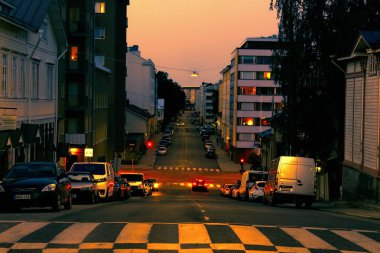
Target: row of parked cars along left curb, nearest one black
(47, 184)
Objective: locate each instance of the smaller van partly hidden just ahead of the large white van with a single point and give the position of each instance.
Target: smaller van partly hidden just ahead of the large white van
(248, 178)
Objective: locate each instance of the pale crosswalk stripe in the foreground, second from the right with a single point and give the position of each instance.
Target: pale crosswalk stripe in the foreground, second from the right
(308, 239)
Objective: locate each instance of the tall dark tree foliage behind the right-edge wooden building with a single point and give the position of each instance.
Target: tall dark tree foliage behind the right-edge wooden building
(310, 32)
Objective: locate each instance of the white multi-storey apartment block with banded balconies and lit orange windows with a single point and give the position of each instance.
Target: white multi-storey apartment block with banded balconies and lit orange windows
(254, 97)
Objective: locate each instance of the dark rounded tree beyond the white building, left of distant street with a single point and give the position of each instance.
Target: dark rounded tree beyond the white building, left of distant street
(173, 95)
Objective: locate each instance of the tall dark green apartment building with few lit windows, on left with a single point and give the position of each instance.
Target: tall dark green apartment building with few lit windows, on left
(92, 94)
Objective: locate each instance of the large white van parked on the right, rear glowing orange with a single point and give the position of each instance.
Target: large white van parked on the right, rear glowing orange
(291, 180)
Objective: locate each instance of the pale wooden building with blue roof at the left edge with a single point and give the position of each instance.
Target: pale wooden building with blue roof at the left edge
(33, 41)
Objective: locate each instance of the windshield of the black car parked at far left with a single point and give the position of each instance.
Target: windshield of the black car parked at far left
(32, 170)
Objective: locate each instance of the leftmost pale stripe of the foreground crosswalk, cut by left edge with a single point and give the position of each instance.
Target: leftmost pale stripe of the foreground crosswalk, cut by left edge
(20, 230)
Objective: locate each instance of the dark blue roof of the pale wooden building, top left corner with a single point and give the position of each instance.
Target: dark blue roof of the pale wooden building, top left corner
(26, 13)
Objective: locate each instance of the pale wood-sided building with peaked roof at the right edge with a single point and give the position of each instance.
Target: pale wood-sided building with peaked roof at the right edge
(361, 165)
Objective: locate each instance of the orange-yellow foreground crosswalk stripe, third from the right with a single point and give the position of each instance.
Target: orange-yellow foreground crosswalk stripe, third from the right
(251, 235)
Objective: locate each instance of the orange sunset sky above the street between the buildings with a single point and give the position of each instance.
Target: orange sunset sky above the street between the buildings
(182, 36)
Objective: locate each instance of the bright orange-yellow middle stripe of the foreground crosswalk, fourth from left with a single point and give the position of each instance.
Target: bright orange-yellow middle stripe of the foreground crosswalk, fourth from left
(193, 233)
